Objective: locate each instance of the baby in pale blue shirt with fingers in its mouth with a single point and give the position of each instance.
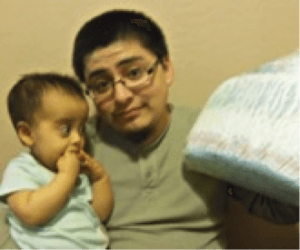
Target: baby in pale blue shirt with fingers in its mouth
(57, 194)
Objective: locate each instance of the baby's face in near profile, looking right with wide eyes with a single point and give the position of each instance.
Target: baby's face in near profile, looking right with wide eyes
(59, 123)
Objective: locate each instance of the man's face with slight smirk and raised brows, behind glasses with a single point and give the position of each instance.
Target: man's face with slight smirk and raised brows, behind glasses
(129, 110)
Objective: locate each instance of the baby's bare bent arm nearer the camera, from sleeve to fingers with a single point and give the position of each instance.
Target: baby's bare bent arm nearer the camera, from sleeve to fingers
(36, 208)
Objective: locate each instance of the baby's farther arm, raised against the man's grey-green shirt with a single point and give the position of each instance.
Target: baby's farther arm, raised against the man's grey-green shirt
(103, 201)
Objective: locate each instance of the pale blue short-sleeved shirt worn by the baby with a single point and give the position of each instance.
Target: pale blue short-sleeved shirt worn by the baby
(76, 226)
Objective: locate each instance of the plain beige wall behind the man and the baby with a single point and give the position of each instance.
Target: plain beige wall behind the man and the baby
(210, 40)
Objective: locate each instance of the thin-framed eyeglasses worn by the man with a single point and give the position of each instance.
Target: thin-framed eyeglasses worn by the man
(134, 77)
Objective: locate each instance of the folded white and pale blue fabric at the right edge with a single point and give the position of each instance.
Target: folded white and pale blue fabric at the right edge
(248, 134)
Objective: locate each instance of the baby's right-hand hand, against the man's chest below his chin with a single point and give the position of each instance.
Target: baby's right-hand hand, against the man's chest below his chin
(91, 166)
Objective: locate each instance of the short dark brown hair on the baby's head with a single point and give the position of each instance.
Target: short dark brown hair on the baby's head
(24, 99)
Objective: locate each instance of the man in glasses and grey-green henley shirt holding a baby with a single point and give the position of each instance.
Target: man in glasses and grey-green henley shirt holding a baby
(123, 61)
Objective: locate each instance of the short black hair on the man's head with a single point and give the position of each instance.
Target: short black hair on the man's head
(112, 26)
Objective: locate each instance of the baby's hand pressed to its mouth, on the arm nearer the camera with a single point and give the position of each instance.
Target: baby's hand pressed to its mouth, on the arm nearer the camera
(69, 162)
